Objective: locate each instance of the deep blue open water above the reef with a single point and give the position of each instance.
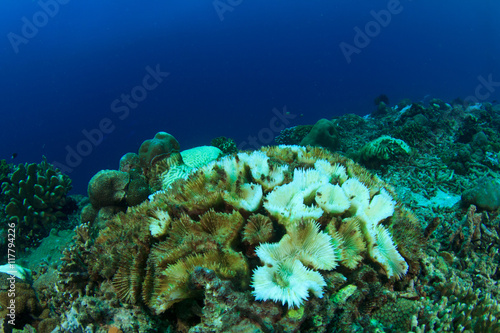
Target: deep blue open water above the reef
(84, 82)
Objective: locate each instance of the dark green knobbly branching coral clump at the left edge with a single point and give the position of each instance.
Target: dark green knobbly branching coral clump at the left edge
(36, 195)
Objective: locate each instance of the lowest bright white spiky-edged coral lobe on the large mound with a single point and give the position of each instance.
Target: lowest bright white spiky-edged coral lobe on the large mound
(287, 282)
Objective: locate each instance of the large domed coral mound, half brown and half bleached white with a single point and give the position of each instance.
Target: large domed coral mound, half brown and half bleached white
(151, 250)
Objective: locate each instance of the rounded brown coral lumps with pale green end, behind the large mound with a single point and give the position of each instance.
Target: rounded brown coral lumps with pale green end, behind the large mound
(157, 166)
